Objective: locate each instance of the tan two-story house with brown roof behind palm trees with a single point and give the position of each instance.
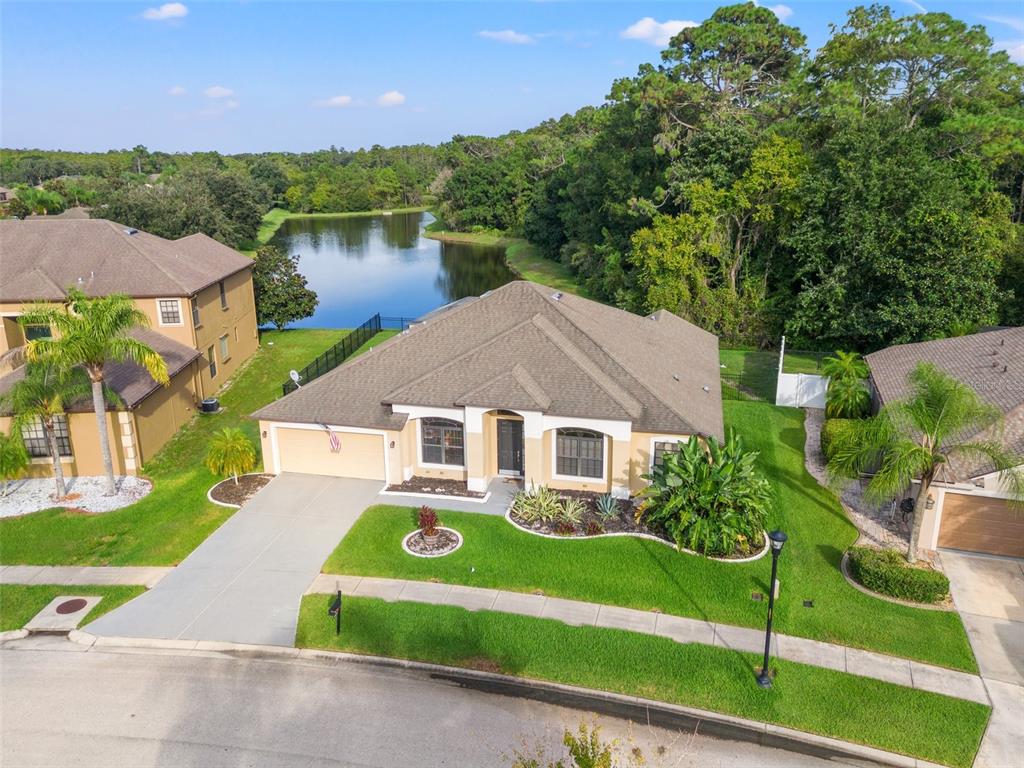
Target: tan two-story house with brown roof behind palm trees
(197, 293)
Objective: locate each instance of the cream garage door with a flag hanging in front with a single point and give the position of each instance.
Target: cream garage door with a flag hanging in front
(310, 451)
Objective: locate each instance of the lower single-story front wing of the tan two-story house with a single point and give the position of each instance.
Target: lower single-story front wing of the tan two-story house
(148, 416)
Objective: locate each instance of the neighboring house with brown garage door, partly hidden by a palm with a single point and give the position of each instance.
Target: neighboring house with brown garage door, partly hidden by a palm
(971, 505)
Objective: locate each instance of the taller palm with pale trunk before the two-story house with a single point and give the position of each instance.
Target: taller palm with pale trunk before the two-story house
(92, 332)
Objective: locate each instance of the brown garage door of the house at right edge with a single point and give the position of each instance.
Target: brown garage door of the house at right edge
(977, 524)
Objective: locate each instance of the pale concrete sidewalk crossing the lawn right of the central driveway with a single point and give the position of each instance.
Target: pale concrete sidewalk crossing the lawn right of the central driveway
(682, 630)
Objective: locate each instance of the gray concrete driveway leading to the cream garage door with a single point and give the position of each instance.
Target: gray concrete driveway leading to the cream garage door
(244, 583)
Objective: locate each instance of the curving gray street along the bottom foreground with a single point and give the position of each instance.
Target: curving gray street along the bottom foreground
(61, 706)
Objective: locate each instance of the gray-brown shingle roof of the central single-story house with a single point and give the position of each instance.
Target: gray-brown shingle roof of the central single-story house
(521, 348)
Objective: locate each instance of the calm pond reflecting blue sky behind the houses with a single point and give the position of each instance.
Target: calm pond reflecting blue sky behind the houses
(361, 266)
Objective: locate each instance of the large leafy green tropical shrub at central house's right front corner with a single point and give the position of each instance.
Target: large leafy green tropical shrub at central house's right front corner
(708, 497)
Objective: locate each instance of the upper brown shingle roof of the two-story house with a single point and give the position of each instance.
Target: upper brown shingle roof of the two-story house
(45, 258)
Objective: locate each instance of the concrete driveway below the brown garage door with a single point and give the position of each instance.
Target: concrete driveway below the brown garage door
(990, 595)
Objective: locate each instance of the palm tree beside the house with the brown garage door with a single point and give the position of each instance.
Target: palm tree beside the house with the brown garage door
(912, 440)
